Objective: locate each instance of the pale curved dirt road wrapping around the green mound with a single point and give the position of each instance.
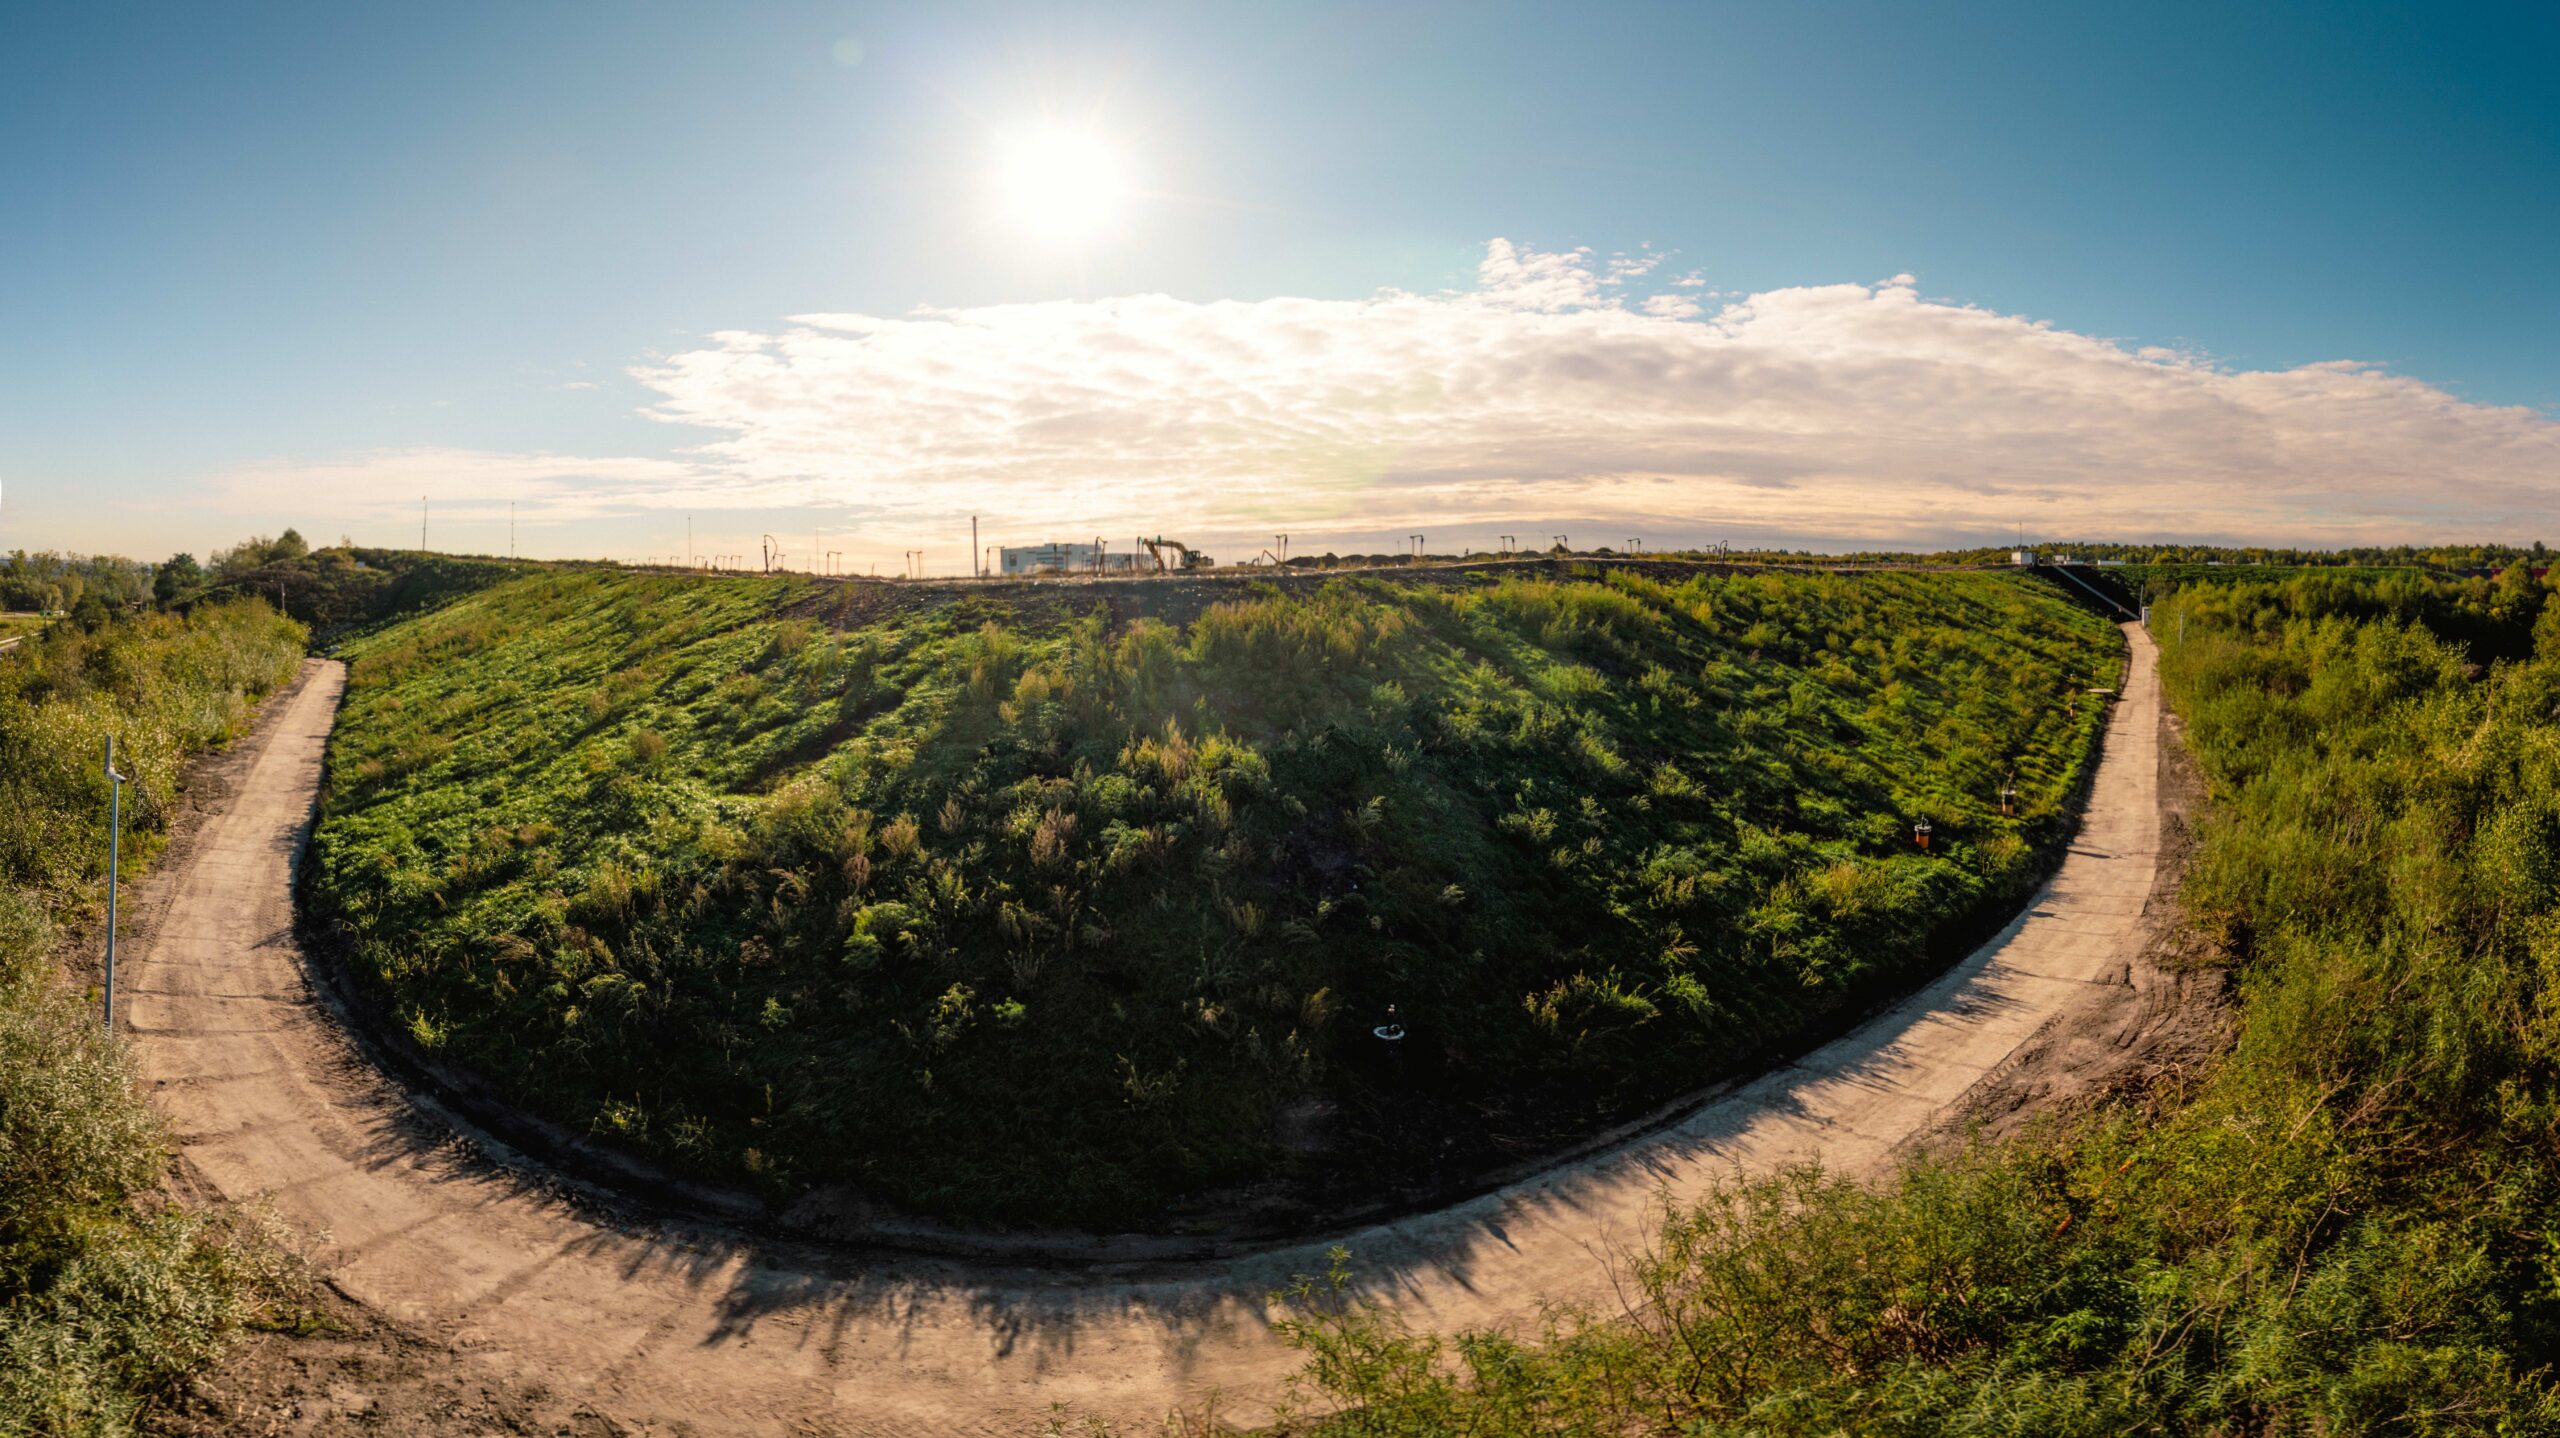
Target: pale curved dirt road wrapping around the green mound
(700, 1329)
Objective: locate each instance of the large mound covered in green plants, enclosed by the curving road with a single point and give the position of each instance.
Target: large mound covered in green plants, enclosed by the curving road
(1018, 905)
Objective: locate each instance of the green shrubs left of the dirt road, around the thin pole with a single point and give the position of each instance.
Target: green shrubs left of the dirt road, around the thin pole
(109, 1293)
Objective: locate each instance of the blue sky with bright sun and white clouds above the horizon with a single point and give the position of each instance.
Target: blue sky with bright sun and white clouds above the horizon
(595, 278)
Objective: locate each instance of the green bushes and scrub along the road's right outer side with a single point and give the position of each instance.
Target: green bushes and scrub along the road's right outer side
(2349, 1227)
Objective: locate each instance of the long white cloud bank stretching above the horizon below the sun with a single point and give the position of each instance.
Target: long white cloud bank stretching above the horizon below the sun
(1560, 388)
